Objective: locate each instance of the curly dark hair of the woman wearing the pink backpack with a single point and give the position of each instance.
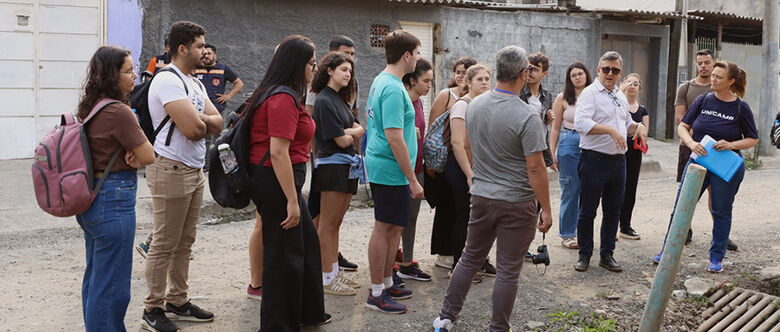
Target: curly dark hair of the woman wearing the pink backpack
(103, 78)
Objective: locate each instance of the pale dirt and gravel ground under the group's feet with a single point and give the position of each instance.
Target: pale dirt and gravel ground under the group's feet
(42, 271)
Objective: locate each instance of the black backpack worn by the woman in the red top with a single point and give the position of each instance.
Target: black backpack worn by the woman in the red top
(235, 190)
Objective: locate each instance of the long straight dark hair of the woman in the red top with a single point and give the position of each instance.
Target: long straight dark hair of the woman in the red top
(287, 67)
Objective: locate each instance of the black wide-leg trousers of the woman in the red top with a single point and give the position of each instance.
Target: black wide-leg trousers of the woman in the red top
(292, 274)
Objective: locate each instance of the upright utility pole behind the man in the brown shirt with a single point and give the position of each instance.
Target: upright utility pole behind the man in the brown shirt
(671, 68)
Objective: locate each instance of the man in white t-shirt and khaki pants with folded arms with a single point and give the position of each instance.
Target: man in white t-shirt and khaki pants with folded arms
(179, 103)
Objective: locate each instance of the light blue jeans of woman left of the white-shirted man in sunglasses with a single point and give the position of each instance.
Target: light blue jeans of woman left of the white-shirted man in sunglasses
(568, 157)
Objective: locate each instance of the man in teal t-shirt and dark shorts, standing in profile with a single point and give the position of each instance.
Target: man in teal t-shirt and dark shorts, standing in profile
(390, 156)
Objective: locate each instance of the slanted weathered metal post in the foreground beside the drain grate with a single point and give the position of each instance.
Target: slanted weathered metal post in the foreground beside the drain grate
(653, 314)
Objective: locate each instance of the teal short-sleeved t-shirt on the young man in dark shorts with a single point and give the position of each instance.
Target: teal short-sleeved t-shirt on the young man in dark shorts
(389, 106)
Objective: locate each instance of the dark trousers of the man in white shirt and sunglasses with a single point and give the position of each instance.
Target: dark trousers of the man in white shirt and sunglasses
(602, 179)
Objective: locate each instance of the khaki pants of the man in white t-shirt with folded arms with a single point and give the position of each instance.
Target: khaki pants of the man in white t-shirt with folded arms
(177, 193)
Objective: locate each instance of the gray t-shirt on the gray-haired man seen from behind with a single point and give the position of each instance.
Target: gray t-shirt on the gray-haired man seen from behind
(503, 130)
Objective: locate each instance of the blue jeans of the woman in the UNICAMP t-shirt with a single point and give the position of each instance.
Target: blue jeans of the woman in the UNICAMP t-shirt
(722, 194)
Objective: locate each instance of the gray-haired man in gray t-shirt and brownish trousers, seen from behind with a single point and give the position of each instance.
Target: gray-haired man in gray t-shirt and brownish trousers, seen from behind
(508, 187)
